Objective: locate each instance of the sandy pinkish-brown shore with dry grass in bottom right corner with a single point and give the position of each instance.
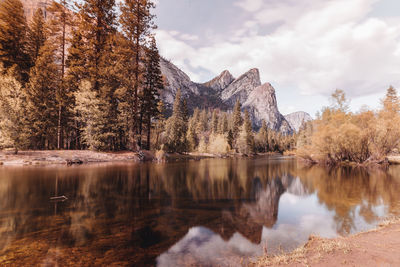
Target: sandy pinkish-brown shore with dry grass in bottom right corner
(378, 247)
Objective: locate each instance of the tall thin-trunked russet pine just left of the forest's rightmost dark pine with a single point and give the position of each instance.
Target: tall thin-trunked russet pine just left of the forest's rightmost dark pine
(136, 23)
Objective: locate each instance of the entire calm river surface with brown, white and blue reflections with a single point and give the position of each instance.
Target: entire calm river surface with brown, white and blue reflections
(205, 213)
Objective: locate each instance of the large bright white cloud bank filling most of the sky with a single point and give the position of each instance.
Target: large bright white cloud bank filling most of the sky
(317, 47)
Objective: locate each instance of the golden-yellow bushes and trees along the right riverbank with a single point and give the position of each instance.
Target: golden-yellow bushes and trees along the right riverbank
(339, 135)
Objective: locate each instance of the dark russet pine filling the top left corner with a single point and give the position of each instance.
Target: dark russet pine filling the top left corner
(13, 29)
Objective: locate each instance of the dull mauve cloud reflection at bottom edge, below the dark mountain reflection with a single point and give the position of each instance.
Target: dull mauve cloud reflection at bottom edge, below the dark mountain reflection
(204, 247)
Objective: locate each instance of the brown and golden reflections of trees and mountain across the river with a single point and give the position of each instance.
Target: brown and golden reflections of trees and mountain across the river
(132, 213)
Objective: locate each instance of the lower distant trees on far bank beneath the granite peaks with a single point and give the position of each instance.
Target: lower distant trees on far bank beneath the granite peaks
(217, 132)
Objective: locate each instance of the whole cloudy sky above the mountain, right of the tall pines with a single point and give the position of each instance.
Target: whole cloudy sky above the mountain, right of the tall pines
(305, 48)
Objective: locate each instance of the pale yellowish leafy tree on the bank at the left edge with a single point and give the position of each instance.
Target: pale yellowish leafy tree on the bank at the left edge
(13, 122)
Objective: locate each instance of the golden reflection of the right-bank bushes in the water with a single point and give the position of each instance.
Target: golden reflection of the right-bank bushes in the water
(352, 191)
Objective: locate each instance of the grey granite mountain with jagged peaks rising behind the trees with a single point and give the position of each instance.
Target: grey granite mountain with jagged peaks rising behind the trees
(223, 91)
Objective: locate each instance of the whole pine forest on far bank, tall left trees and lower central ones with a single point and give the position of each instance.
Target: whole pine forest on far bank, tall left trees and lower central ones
(84, 76)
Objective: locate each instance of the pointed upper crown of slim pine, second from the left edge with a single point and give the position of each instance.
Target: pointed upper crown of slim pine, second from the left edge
(36, 35)
